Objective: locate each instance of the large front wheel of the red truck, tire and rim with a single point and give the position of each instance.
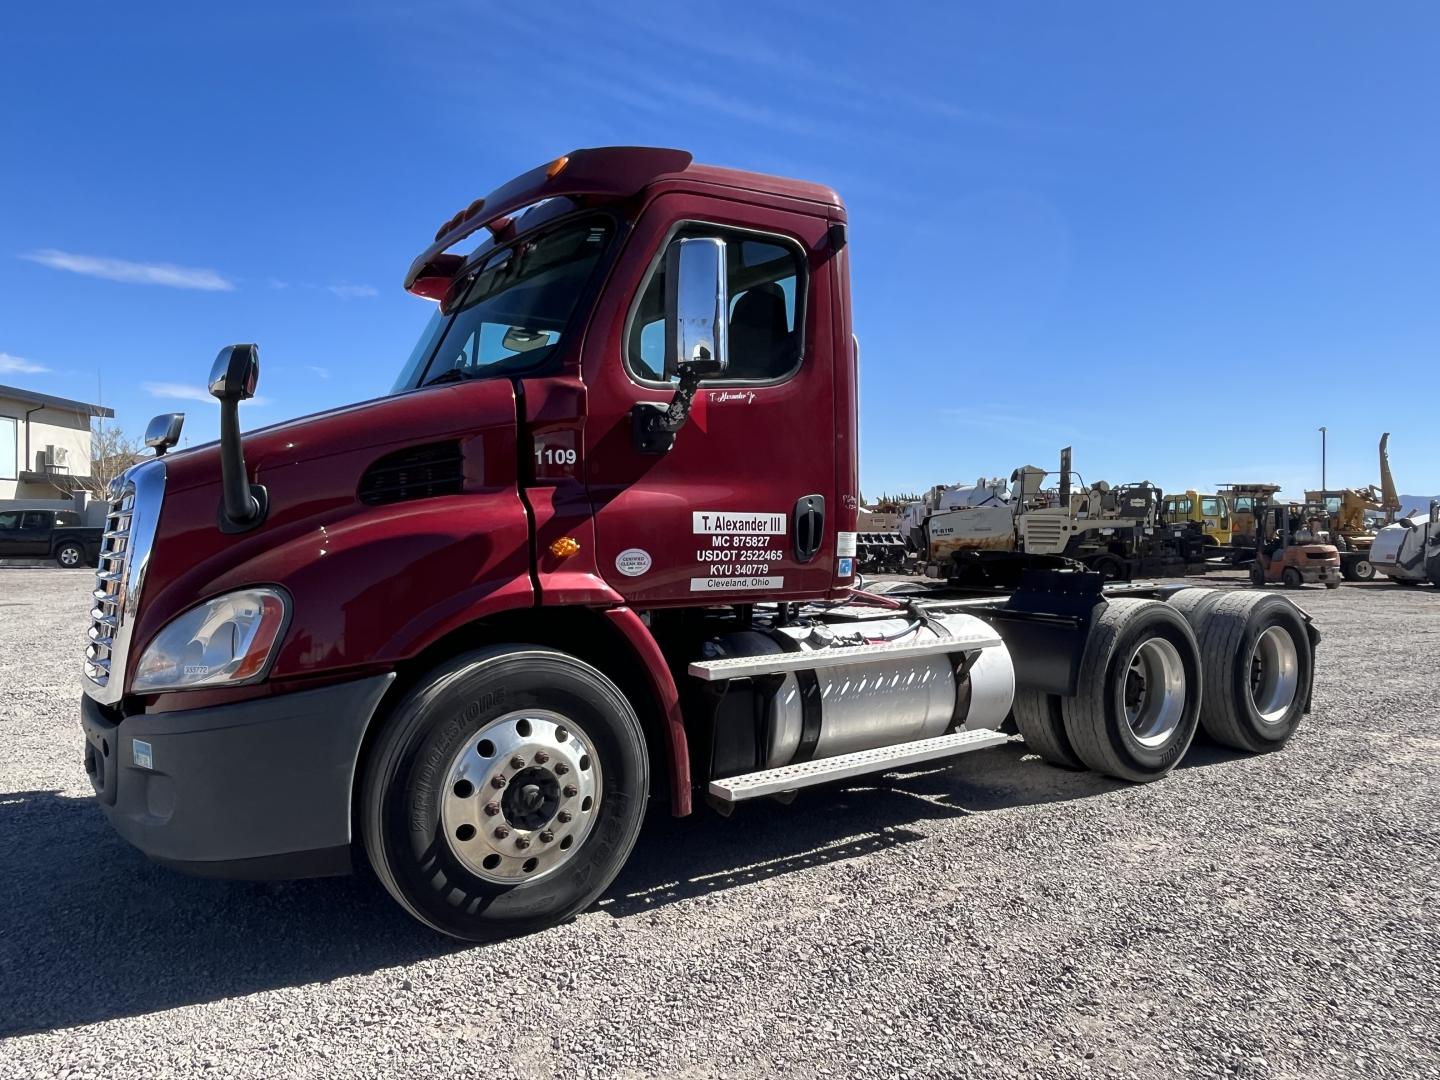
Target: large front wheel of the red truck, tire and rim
(575, 778)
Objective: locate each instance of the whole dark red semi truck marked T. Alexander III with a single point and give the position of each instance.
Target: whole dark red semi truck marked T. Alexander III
(595, 549)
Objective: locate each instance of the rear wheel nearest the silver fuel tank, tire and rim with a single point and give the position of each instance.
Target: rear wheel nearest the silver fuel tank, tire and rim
(1102, 731)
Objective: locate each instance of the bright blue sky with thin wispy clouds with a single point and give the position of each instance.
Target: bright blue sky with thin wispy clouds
(1179, 240)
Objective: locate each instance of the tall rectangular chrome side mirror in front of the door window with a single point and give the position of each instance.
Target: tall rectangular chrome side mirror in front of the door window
(698, 307)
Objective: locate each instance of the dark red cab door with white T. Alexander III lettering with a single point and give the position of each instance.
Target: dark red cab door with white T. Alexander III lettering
(742, 508)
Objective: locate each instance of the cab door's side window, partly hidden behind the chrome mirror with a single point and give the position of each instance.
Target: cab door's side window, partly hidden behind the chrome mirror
(767, 283)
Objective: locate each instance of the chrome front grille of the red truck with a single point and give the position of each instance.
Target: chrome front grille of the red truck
(130, 528)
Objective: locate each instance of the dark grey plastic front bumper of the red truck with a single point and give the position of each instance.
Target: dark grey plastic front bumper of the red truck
(258, 790)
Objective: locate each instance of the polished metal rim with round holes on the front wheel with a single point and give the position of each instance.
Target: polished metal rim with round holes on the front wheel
(522, 797)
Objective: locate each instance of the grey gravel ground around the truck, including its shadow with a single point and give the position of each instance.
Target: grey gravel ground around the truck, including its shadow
(1248, 917)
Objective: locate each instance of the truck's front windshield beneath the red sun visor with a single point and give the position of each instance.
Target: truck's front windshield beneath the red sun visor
(513, 310)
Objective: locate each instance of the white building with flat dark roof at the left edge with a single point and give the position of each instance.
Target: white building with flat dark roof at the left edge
(45, 446)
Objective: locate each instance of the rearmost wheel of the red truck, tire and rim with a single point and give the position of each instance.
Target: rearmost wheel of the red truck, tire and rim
(1235, 711)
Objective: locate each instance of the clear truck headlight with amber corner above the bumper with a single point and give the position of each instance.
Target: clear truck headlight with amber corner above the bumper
(224, 642)
